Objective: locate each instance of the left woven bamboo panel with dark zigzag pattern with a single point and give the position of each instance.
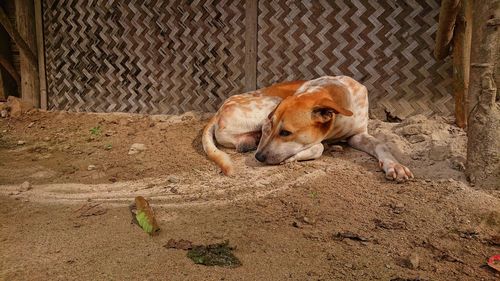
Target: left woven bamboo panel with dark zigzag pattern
(150, 56)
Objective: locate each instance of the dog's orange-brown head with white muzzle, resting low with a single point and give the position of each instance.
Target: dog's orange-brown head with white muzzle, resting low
(297, 123)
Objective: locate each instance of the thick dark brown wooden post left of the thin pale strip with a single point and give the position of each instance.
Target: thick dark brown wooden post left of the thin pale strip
(25, 21)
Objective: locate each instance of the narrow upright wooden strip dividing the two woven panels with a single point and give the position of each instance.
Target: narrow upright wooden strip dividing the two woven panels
(251, 13)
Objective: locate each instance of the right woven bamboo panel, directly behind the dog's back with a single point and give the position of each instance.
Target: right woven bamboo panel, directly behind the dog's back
(387, 45)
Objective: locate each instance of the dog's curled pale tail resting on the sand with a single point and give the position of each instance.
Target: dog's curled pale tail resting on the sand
(219, 157)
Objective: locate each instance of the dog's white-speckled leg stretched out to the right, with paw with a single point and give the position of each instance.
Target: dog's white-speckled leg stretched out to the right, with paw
(392, 168)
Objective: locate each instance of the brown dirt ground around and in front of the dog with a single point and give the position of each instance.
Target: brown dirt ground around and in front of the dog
(66, 180)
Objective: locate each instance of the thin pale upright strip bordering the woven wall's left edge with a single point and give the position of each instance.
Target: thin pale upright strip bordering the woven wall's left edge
(41, 54)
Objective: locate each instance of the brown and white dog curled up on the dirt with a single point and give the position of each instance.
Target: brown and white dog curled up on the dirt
(288, 121)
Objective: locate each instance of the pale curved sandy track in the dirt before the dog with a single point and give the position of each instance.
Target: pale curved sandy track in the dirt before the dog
(203, 189)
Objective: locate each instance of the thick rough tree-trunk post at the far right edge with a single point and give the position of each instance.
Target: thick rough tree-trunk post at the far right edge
(483, 145)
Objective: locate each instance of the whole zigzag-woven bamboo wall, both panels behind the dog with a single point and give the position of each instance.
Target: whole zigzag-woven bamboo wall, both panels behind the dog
(174, 56)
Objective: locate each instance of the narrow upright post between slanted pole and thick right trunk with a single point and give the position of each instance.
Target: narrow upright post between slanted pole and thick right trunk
(461, 61)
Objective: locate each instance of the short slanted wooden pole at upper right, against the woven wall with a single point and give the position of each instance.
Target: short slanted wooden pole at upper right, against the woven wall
(447, 15)
